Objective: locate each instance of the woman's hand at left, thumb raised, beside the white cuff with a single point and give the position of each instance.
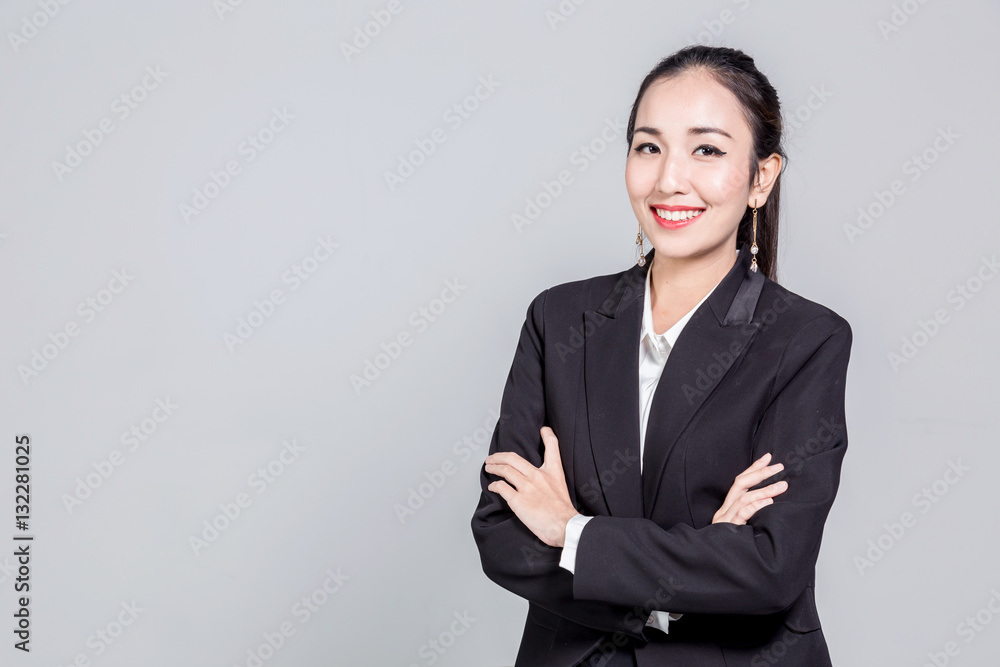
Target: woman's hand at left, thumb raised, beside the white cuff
(538, 497)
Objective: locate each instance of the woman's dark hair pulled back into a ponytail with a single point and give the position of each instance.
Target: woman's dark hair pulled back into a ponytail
(759, 102)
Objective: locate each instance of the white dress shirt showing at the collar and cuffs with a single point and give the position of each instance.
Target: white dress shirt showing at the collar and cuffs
(654, 349)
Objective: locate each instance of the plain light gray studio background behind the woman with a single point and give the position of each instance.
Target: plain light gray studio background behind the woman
(886, 97)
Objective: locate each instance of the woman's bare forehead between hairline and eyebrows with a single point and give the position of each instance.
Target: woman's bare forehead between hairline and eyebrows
(691, 99)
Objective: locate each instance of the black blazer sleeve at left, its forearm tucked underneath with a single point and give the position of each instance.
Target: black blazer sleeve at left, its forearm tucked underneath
(512, 556)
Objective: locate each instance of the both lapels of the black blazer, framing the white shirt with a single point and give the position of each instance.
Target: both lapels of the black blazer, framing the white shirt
(709, 345)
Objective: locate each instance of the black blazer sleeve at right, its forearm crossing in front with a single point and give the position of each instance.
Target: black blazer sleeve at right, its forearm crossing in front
(763, 566)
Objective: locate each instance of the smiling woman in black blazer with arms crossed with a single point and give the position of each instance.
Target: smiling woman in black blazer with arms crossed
(635, 399)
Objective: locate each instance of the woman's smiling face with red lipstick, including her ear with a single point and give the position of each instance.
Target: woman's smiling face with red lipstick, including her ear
(690, 153)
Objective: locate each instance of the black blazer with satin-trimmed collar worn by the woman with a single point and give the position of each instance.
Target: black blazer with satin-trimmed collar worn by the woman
(756, 369)
